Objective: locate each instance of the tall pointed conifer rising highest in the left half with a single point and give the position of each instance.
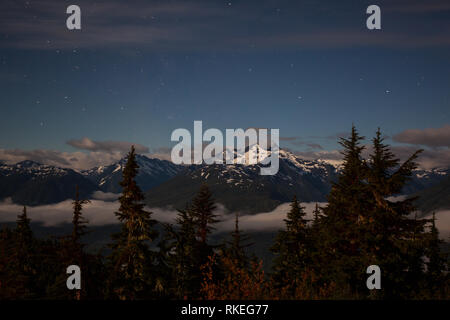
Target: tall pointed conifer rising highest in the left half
(131, 257)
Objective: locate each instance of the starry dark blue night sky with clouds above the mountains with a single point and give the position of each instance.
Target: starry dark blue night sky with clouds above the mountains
(140, 69)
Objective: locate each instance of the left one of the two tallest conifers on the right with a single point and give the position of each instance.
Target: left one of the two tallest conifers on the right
(340, 246)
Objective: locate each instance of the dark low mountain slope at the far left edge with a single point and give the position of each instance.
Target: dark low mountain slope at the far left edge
(31, 183)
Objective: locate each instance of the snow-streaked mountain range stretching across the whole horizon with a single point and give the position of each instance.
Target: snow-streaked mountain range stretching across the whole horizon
(236, 186)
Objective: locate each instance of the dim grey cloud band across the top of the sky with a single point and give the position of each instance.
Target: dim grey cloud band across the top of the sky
(196, 25)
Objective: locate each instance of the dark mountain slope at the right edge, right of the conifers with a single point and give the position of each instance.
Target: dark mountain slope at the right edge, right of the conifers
(434, 198)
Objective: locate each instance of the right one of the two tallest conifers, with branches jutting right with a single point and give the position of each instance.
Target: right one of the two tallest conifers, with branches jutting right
(389, 236)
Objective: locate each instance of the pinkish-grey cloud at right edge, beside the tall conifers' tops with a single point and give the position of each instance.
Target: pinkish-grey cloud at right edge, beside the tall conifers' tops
(431, 137)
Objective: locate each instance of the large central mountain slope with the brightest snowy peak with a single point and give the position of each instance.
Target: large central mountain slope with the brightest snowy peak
(242, 188)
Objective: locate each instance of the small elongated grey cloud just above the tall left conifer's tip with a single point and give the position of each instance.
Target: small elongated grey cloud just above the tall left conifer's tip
(106, 146)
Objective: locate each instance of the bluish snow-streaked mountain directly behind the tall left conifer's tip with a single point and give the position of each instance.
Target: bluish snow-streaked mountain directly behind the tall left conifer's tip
(152, 172)
